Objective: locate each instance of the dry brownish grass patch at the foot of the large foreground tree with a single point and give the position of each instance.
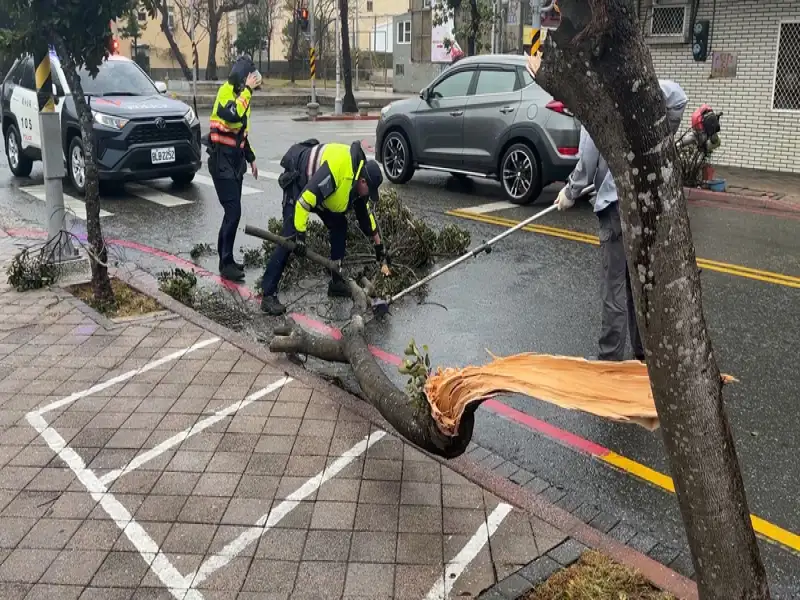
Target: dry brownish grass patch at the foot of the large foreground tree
(596, 577)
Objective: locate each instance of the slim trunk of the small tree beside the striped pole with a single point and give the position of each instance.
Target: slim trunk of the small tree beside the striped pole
(98, 259)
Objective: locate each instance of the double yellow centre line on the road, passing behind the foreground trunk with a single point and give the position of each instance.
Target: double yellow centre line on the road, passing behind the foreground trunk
(586, 238)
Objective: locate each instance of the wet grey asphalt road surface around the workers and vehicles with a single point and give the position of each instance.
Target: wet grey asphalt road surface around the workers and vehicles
(539, 292)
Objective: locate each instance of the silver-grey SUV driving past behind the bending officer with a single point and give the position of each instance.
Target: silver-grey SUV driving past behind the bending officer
(485, 116)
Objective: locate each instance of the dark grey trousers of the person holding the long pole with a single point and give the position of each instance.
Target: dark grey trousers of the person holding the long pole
(619, 315)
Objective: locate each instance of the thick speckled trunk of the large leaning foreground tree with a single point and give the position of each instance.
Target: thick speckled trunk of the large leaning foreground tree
(598, 63)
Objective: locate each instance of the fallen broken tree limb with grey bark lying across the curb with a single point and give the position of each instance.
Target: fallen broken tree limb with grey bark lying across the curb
(410, 418)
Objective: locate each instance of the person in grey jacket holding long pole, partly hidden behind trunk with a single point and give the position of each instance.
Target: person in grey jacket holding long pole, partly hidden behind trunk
(617, 309)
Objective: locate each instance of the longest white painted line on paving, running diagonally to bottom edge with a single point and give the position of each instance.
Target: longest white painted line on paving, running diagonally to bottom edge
(177, 584)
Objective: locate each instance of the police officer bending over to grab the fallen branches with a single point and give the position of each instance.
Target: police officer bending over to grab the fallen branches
(327, 180)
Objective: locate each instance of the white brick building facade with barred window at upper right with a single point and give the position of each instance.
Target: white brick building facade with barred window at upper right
(751, 73)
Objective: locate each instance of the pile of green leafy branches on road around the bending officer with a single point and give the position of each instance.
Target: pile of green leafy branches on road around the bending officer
(412, 246)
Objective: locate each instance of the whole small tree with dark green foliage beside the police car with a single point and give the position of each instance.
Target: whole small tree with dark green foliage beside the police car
(80, 38)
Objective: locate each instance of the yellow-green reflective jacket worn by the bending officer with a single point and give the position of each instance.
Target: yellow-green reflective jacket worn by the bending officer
(332, 170)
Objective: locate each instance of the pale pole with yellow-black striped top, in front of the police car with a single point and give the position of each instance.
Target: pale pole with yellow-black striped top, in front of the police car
(60, 246)
